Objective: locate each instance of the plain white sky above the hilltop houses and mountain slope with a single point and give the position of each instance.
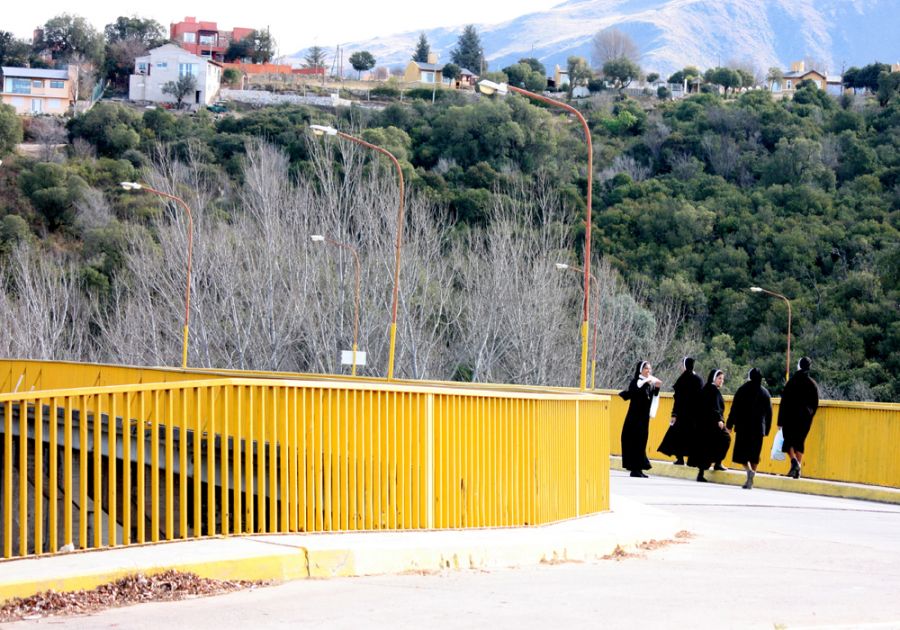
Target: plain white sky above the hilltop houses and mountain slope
(293, 25)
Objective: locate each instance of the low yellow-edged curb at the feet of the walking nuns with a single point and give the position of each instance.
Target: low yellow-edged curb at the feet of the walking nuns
(737, 477)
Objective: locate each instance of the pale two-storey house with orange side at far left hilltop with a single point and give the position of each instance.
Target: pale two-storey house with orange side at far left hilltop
(38, 91)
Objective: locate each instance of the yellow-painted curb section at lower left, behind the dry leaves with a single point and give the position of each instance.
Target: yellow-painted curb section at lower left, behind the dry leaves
(288, 565)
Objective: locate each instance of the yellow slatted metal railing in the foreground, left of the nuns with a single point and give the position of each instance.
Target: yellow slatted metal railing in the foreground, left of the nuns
(124, 464)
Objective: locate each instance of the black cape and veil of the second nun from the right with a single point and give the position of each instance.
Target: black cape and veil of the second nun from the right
(751, 418)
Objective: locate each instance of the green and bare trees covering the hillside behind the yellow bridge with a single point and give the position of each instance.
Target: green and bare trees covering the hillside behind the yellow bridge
(694, 201)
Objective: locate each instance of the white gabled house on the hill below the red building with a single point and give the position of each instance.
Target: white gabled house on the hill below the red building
(169, 63)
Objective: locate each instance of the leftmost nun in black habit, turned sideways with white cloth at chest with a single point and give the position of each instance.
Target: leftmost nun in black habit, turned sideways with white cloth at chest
(641, 391)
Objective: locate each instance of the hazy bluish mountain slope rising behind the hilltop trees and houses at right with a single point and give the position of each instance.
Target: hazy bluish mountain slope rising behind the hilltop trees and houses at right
(674, 33)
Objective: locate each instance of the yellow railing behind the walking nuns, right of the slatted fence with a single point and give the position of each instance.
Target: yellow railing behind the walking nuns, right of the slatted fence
(849, 441)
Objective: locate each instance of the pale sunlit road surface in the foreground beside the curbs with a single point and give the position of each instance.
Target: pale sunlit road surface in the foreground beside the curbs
(756, 559)
